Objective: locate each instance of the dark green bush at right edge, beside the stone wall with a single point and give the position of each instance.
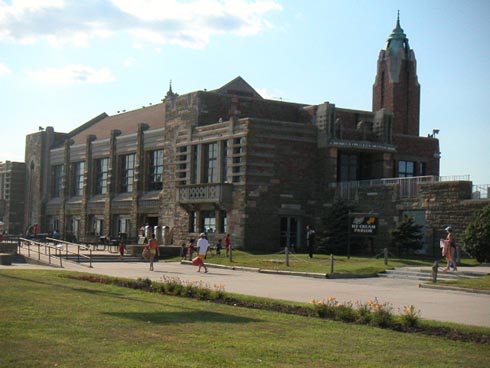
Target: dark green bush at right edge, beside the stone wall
(476, 237)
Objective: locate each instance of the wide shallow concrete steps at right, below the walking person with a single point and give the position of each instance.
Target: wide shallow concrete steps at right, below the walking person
(425, 274)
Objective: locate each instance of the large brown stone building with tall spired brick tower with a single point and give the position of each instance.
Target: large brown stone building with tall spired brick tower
(227, 161)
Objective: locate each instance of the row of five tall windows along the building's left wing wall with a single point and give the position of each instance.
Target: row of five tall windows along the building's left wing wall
(125, 171)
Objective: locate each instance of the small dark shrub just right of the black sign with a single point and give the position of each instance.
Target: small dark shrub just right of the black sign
(407, 235)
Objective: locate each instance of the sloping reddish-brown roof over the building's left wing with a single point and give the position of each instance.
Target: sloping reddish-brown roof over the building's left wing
(126, 122)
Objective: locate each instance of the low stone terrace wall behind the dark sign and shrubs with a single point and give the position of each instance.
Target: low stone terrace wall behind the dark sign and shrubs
(443, 204)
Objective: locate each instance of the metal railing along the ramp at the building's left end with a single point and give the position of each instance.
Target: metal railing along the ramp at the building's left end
(54, 251)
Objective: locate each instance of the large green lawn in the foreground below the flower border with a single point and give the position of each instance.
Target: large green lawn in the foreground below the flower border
(48, 321)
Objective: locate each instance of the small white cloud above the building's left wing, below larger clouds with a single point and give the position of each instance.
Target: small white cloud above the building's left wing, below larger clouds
(73, 74)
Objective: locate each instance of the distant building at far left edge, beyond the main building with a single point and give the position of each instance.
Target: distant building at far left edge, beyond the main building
(12, 179)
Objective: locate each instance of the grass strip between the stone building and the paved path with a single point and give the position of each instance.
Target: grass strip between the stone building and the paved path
(320, 263)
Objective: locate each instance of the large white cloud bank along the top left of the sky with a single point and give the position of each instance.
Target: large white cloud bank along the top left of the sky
(186, 23)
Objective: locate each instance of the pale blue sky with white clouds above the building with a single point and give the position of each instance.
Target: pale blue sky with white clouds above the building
(63, 62)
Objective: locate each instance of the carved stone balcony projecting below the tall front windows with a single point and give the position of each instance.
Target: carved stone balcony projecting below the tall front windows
(217, 194)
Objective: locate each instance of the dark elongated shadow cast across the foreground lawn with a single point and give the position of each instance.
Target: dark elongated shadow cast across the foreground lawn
(182, 317)
